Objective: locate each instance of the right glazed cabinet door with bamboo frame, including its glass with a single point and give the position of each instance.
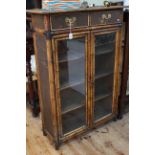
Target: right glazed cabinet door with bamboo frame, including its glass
(105, 74)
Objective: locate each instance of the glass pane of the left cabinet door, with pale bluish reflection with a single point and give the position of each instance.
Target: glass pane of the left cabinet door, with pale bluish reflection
(71, 56)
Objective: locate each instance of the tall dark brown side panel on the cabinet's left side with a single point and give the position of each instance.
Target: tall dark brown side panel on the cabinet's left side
(44, 80)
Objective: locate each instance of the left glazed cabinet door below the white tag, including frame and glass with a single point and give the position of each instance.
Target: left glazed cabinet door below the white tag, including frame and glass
(71, 82)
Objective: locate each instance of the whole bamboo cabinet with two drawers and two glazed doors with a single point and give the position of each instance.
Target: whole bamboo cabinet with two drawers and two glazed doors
(78, 78)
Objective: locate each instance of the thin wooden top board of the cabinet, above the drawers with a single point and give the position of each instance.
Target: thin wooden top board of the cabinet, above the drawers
(42, 11)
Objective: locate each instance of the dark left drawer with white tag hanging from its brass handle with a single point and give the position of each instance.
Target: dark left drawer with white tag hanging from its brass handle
(62, 21)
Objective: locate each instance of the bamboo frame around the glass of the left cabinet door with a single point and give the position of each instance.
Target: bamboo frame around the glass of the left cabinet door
(57, 84)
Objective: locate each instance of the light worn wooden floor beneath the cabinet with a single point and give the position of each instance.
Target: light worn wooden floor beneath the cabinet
(110, 139)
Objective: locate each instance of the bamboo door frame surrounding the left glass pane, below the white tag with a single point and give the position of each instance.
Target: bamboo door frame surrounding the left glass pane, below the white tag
(55, 40)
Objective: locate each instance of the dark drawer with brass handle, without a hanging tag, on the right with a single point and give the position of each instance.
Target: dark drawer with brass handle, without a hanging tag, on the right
(106, 17)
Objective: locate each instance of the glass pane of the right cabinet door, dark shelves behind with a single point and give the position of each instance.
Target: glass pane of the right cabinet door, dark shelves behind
(104, 71)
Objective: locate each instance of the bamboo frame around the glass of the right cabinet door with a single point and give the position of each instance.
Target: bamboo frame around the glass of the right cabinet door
(116, 80)
